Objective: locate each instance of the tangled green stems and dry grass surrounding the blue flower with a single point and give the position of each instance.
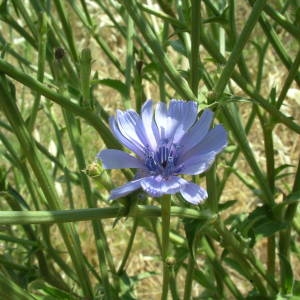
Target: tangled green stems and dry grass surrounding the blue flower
(66, 66)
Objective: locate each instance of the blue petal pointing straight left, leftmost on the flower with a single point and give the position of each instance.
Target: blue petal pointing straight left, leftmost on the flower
(117, 159)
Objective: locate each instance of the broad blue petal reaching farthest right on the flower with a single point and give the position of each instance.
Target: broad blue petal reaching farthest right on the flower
(214, 141)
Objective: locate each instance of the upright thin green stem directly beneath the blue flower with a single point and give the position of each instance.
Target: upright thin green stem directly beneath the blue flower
(165, 216)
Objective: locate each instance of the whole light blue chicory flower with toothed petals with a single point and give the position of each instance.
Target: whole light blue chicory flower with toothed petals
(168, 142)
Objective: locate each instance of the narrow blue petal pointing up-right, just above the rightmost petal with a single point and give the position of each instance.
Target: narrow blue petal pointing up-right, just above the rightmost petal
(195, 135)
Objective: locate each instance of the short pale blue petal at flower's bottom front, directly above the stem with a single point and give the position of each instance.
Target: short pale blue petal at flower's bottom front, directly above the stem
(157, 186)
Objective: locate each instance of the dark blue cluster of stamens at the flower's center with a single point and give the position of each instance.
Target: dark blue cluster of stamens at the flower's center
(163, 161)
